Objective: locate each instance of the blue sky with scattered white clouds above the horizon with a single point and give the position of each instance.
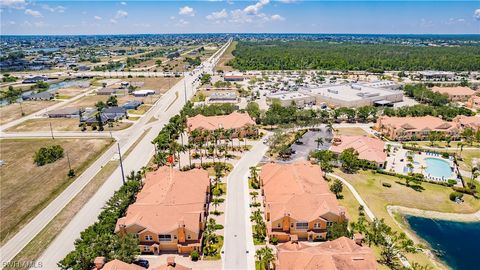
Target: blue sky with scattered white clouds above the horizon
(292, 16)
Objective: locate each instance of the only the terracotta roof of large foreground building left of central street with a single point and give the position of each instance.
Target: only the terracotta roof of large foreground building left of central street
(164, 204)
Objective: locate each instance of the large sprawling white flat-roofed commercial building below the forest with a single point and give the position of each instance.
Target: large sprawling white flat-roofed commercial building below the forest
(353, 95)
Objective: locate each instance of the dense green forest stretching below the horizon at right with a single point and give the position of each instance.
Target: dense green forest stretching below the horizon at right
(296, 55)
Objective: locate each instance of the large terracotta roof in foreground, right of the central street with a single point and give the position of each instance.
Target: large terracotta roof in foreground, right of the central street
(299, 190)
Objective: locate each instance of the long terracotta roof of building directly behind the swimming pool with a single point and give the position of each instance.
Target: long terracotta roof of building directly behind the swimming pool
(416, 123)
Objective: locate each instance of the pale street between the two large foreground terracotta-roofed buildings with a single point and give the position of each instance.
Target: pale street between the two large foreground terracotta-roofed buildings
(238, 228)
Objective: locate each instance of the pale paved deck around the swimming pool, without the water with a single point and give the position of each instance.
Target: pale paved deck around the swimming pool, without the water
(395, 163)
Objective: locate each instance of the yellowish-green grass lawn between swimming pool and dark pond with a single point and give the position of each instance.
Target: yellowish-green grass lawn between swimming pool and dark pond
(433, 197)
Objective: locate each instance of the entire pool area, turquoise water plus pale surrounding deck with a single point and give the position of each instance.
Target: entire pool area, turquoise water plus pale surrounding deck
(433, 166)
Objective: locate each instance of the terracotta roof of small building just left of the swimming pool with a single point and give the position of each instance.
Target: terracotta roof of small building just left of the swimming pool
(368, 148)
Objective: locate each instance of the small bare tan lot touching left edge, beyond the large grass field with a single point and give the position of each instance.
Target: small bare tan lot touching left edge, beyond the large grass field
(14, 111)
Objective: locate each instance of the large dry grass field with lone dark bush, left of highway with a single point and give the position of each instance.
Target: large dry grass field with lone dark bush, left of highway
(26, 188)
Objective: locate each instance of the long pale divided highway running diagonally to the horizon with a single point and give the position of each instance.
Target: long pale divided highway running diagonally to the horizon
(165, 108)
